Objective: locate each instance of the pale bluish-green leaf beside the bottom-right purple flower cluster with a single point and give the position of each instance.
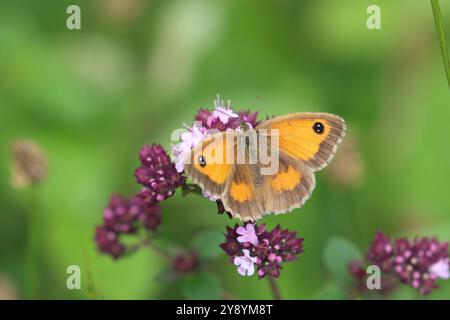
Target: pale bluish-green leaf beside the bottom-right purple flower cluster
(339, 253)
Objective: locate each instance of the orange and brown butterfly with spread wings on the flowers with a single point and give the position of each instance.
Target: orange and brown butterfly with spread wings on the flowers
(302, 143)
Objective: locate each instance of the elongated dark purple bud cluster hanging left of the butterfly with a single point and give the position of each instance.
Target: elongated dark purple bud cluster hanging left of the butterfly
(159, 178)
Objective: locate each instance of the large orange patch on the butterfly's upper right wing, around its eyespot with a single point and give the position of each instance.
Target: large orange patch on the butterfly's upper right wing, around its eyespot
(298, 139)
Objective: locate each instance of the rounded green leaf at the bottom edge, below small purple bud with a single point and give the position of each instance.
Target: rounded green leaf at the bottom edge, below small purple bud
(201, 286)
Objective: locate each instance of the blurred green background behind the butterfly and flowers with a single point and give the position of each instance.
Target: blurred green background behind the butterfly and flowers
(139, 69)
